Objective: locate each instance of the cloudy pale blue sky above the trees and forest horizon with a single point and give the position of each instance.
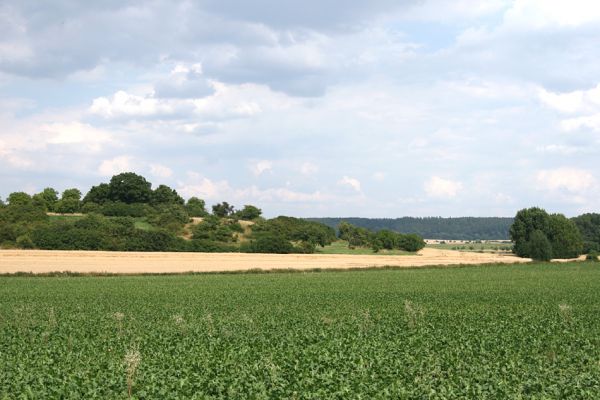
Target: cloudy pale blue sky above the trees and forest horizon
(380, 108)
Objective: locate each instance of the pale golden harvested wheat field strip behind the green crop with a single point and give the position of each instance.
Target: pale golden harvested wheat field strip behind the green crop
(42, 261)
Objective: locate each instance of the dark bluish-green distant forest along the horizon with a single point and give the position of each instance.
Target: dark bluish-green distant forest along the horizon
(461, 228)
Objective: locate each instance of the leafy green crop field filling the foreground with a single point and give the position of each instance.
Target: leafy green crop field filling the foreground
(517, 331)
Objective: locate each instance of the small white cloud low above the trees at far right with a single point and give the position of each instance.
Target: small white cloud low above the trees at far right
(570, 179)
